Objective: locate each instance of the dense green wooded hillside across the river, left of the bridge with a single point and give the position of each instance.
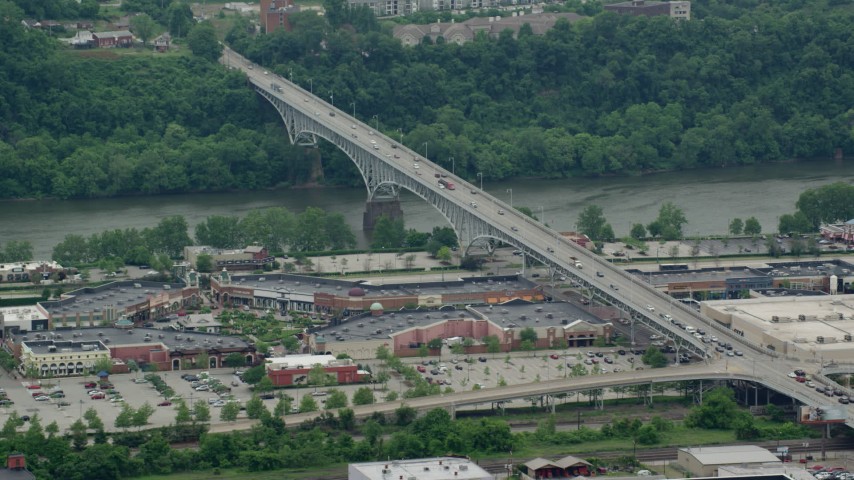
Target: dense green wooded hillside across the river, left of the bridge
(102, 123)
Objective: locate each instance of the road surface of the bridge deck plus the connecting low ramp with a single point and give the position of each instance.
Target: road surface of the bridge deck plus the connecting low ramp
(543, 244)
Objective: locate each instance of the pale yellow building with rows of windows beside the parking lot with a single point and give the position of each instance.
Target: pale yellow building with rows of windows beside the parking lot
(59, 358)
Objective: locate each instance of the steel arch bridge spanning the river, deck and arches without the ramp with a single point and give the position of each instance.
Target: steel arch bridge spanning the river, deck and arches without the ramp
(479, 220)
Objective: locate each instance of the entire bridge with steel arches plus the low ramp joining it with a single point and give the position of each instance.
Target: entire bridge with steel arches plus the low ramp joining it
(481, 220)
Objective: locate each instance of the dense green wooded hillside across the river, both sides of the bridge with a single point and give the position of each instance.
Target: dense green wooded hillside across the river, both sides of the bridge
(743, 82)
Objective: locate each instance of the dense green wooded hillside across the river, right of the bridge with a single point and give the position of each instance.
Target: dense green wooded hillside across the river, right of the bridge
(611, 95)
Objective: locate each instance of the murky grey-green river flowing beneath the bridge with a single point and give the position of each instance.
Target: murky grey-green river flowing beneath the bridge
(710, 199)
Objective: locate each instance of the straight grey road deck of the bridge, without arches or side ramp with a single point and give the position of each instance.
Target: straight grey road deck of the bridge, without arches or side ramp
(531, 236)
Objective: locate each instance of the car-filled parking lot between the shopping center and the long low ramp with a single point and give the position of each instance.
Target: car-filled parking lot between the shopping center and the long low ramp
(451, 371)
